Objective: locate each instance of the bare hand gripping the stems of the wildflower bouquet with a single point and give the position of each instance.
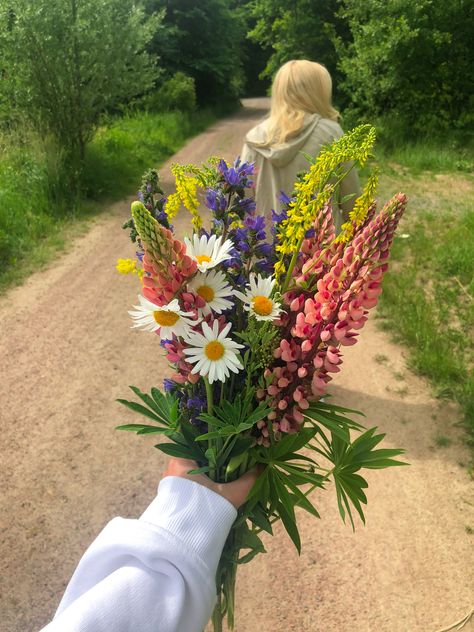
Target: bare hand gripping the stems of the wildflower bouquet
(235, 492)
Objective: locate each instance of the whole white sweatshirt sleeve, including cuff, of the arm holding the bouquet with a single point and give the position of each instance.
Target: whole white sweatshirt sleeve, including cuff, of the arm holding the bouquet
(155, 574)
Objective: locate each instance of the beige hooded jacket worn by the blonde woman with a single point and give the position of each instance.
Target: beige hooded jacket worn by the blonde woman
(277, 166)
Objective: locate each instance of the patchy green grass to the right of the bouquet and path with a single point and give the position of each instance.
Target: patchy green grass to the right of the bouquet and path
(428, 297)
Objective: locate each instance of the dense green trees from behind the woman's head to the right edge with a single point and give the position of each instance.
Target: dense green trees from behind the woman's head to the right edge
(408, 62)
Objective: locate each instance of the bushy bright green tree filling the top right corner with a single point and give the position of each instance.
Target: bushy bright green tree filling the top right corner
(411, 60)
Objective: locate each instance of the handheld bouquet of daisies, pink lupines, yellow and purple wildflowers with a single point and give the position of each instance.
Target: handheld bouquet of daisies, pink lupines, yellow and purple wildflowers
(253, 314)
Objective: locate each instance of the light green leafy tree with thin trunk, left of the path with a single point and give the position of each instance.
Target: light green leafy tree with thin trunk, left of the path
(65, 62)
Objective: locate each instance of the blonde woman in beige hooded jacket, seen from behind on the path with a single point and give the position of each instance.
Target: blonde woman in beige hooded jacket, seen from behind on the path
(302, 120)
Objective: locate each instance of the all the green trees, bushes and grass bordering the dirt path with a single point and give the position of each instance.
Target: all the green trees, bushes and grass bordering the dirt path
(93, 92)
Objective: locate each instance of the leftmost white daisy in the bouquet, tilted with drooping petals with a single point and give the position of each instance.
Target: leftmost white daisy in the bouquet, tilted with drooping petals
(167, 320)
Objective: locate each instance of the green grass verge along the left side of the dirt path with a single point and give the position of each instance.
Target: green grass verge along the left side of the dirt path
(37, 211)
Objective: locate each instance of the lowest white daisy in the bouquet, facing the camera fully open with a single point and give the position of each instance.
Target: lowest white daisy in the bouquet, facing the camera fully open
(212, 353)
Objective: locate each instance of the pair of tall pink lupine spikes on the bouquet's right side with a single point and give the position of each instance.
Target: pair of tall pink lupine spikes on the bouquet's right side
(335, 285)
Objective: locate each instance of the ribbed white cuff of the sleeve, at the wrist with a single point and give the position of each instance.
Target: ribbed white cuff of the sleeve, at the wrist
(197, 516)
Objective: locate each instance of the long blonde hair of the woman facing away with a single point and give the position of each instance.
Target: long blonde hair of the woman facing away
(300, 87)
